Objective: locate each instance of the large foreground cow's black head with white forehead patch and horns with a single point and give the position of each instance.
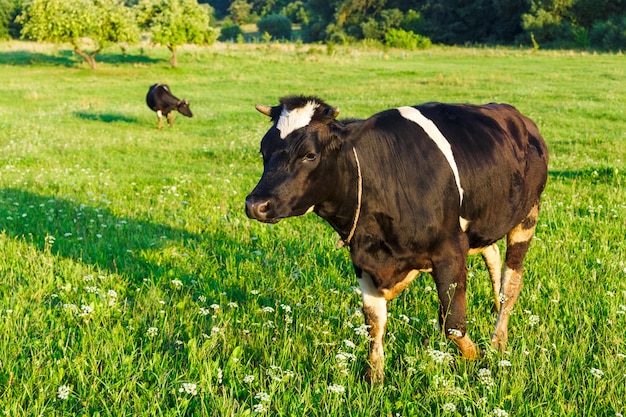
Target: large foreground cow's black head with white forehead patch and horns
(298, 166)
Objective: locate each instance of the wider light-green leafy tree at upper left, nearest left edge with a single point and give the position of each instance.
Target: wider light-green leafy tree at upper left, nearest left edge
(88, 25)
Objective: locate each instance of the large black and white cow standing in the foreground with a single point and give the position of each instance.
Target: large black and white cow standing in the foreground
(410, 189)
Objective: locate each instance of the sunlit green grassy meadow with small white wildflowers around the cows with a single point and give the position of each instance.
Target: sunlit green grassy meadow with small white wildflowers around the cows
(133, 284)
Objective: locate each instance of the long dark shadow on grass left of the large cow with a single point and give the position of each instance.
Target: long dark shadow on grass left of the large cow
(96, 236)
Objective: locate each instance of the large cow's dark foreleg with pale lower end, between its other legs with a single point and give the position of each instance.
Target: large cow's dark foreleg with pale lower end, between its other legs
(450, 277)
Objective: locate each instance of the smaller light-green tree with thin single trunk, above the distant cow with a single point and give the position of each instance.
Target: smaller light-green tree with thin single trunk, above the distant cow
(173, 23)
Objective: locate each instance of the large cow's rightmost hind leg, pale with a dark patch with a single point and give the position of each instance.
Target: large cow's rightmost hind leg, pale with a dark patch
(517, 243)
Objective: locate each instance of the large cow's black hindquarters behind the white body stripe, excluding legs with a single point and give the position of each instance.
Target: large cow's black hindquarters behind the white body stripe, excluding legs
(502, 161)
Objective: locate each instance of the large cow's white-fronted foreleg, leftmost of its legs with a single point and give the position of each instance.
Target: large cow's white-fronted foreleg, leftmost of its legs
(375, 312)
